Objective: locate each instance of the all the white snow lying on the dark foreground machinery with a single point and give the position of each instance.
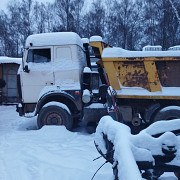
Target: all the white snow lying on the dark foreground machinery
(129, 148)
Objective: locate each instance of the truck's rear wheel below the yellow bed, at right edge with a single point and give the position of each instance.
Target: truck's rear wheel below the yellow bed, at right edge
(168, 113)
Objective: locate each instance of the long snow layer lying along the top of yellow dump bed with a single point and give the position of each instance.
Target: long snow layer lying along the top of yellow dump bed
(119, 52)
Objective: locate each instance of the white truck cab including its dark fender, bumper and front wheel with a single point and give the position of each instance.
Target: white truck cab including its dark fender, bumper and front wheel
(50, 79)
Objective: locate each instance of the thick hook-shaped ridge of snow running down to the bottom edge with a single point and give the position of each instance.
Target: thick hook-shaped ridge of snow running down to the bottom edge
(117, 132)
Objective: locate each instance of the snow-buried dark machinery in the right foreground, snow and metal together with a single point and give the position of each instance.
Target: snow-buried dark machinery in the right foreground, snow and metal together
(153, 151)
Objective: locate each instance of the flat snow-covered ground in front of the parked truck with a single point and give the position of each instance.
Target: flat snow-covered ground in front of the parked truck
(49, 153)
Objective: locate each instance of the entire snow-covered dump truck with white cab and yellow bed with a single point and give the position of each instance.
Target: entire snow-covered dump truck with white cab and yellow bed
(56, 82)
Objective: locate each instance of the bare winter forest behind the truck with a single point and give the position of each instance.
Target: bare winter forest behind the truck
(130, 24)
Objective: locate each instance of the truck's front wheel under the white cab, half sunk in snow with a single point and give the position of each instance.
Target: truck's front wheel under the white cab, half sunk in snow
(54, 115)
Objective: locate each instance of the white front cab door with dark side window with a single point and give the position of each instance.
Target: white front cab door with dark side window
(40, 75)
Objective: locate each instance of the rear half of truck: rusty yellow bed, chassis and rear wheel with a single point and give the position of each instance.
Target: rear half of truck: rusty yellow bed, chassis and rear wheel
(146, 84)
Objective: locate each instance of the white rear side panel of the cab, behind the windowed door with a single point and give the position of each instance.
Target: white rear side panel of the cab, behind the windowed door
(67, 70)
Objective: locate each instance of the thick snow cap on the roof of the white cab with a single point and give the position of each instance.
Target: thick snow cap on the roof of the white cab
(56, 38)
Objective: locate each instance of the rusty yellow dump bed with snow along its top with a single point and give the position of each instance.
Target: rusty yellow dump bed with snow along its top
(142, 74)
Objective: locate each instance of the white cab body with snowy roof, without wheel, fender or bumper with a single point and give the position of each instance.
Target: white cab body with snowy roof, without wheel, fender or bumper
(50, 60)
